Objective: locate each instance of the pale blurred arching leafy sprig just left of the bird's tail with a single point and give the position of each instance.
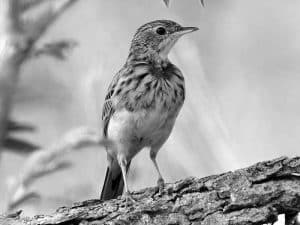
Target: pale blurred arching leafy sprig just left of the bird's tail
(49, 160)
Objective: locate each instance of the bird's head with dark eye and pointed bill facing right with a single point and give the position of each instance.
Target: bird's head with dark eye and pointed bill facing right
(158, 37)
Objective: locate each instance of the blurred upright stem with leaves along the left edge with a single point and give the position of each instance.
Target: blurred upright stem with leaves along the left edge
(22, 24)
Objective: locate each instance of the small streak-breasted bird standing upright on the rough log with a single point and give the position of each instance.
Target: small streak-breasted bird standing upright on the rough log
(142, 103)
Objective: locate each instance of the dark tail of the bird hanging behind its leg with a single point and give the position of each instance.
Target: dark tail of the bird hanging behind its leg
(113, 184)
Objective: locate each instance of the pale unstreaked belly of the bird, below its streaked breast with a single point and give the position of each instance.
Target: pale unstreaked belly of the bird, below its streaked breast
(132, 131)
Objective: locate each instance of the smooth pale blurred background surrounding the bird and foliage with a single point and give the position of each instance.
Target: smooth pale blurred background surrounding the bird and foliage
(242, 101)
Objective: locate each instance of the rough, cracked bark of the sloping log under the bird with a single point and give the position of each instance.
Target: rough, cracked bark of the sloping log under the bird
(254, 195)
